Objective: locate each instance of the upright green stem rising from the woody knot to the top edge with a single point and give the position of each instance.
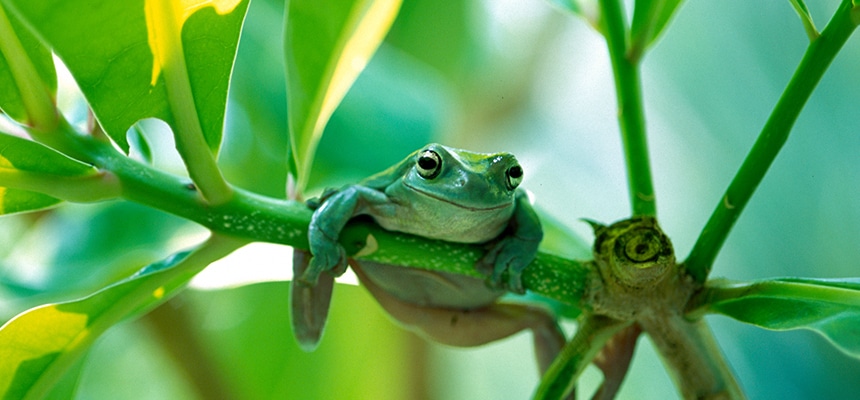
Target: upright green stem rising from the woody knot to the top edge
(631, 116)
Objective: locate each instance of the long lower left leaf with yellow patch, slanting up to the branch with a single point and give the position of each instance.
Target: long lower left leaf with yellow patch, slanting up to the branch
(39, 345)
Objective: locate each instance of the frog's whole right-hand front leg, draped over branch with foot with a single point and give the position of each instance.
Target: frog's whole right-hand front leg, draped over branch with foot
(513, 252)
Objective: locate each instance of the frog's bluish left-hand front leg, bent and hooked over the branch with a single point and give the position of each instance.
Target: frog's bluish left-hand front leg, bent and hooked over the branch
(327, 223)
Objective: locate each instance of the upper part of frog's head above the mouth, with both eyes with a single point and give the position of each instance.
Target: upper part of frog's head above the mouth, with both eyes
(470, 180)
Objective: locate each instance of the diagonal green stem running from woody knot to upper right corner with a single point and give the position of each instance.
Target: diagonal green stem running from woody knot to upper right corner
(814, 64)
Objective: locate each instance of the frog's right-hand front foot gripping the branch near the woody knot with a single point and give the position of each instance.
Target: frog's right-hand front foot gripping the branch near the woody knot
(505, 261)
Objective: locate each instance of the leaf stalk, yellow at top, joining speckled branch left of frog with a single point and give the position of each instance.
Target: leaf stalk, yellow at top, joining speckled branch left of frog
(190, 139)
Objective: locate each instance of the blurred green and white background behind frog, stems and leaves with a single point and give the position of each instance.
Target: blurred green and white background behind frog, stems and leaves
(505, 75)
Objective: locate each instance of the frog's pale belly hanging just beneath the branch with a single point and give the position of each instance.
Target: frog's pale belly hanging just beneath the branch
(430, 288)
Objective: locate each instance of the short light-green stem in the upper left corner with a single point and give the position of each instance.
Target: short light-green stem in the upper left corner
(35, 94)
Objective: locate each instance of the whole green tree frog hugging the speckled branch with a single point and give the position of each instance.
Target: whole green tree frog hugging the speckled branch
(441, 193)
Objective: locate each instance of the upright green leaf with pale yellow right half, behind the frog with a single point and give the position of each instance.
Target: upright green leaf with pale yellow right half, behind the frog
(327, 43)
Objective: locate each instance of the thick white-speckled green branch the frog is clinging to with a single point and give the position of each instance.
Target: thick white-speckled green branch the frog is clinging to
(261, 218)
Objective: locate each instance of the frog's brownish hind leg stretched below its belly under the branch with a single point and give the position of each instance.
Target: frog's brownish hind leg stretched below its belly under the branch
(473, 327)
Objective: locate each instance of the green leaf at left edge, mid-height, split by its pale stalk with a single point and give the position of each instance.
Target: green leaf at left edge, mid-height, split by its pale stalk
(21, 159)
